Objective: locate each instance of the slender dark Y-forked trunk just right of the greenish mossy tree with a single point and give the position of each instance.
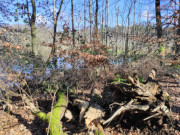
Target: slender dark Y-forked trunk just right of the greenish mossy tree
(56, 16)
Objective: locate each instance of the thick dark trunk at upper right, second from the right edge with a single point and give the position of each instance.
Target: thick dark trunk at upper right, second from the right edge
(158, 19)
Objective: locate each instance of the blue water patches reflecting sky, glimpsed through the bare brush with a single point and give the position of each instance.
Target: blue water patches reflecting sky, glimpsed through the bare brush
(61, 64)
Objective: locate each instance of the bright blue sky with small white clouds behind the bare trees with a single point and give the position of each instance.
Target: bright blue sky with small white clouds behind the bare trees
(144, 8)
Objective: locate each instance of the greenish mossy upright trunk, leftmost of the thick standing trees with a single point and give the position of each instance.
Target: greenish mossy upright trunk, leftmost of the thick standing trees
(33, 28)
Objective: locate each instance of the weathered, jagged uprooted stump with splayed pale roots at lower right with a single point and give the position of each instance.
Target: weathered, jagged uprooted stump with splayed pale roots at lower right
(155, 98)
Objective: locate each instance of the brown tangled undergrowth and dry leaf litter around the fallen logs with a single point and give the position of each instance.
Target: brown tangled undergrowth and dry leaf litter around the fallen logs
(91, 79)
